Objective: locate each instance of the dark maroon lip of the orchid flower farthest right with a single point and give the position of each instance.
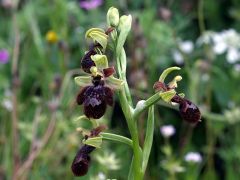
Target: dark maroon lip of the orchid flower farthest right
(188, 111)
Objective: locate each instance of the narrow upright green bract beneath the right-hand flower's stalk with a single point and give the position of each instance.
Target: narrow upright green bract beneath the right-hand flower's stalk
(148, 138)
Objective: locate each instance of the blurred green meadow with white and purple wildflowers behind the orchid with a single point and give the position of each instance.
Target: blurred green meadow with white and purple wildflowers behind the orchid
(41, 44)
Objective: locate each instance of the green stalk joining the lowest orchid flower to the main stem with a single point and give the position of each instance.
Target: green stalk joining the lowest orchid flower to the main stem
(117, 138)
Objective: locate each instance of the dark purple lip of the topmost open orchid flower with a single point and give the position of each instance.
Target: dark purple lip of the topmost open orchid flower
(87, 62)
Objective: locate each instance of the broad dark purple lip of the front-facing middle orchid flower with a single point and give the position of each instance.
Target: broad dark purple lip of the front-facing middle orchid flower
(95, 98)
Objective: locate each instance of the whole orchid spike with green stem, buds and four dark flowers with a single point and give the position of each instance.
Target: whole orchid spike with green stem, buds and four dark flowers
(98, 95)
